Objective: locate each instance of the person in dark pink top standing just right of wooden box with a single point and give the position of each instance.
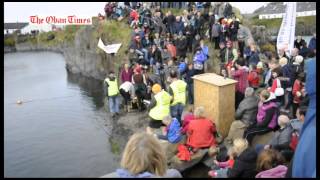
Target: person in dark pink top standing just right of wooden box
(240, 75)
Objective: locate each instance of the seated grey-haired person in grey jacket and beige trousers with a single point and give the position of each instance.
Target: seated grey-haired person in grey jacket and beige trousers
(245, 116)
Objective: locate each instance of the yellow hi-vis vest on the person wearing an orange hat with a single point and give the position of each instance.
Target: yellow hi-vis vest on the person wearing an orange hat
(162, 109)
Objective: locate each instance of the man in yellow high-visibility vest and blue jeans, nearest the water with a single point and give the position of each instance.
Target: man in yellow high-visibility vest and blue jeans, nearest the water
(112, 94)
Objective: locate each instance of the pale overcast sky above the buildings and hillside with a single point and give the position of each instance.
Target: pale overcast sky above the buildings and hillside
(21, 11)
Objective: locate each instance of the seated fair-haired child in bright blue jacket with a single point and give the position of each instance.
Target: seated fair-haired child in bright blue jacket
(171, 132)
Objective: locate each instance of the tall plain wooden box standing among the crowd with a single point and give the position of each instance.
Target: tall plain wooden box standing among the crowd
(217, 95)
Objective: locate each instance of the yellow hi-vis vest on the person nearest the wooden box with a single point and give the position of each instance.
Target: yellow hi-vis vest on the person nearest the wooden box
(179, 92)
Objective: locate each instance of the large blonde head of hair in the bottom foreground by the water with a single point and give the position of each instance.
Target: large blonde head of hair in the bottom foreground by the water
(143, 153)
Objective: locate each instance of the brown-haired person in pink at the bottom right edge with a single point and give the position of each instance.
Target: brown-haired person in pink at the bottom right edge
(270, 164)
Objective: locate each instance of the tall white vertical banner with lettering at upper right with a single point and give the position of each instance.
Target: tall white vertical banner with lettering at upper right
(286, 34)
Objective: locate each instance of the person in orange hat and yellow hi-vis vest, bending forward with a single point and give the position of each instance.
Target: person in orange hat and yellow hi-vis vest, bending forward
(159, 107)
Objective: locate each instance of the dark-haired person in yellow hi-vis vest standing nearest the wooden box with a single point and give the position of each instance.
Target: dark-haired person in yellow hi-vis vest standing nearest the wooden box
(177, 90)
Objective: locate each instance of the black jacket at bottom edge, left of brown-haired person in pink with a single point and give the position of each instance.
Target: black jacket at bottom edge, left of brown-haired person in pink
(244, 165)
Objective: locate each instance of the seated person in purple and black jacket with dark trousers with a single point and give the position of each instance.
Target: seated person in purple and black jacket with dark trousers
(266, 117)
